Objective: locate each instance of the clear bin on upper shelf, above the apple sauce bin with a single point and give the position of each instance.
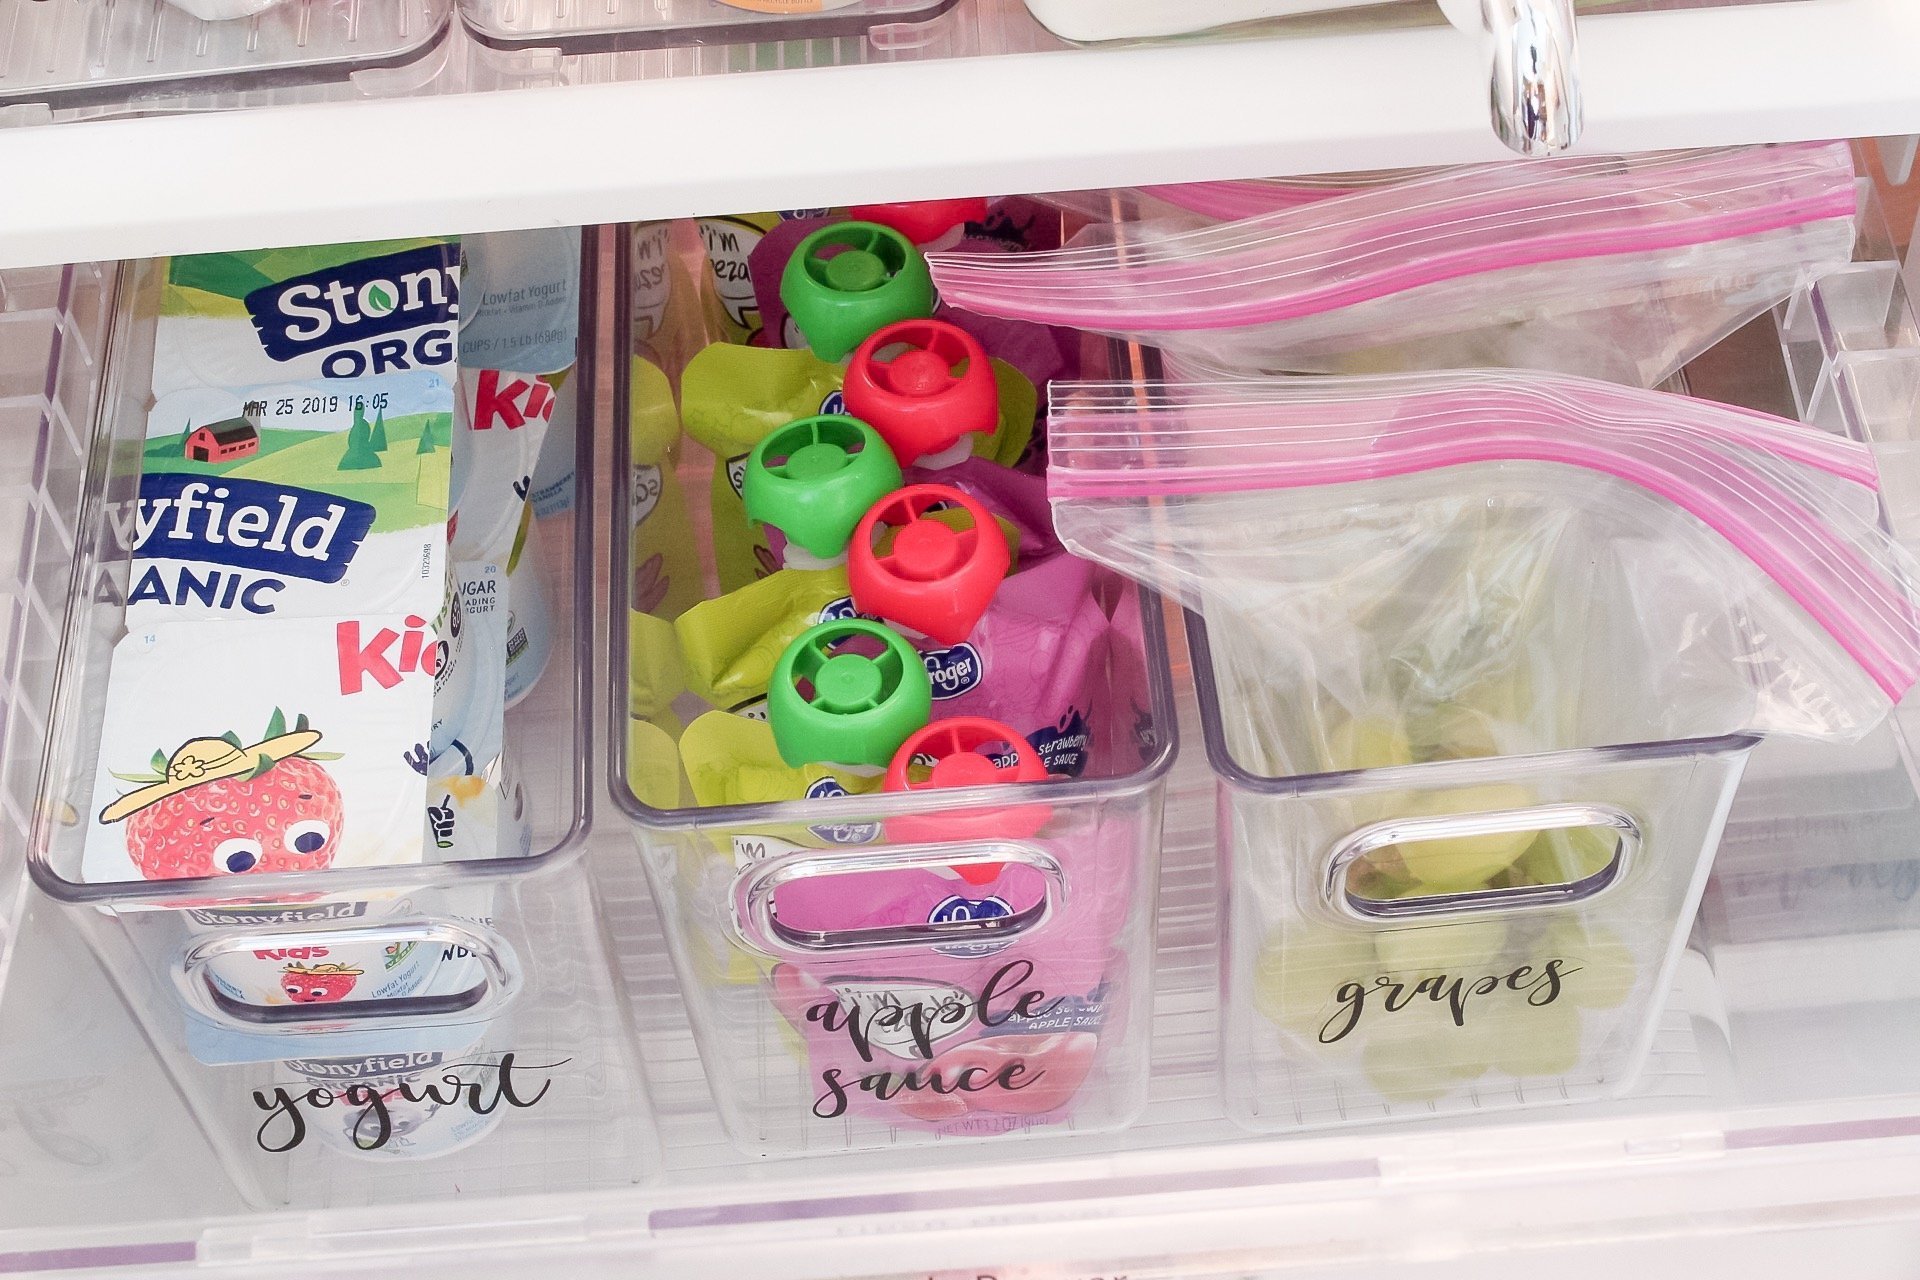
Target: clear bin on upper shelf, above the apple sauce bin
(667, 24)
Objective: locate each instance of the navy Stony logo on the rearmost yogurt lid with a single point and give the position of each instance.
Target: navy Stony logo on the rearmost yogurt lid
(360, 300)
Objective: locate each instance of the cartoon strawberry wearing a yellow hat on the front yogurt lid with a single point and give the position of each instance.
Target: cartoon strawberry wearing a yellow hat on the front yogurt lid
(218, 807)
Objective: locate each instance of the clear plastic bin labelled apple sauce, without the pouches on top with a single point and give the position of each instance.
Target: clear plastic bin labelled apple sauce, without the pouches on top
(836, 964)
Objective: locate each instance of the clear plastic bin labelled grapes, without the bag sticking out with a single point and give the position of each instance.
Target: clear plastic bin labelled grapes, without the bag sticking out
(1341, 1008)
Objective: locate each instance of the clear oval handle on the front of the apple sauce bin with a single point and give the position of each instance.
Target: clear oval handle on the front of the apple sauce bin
(759, 926)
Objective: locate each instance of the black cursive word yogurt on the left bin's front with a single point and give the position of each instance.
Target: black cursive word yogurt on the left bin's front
(483, 1087)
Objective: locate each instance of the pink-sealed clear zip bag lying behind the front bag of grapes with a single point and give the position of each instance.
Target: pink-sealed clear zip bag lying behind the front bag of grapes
(1616, 268)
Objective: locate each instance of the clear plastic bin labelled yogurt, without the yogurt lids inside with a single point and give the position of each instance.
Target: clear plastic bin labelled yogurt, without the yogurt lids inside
(277, 995)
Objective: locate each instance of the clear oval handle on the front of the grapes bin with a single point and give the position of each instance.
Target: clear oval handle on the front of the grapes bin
(1466, 826)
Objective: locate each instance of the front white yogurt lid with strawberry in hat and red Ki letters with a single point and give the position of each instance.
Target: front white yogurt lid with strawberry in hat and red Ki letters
(279, 746)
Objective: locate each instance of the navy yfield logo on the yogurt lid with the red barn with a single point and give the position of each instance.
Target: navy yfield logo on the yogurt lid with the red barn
(251, 525)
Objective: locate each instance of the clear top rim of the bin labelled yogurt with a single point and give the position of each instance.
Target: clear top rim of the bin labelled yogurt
(337, 884)
